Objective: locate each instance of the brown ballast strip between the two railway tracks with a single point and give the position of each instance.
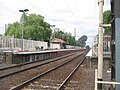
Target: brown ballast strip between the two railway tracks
(10, 80)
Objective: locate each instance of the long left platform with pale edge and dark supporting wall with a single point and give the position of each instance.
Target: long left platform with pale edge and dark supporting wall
(28, 56)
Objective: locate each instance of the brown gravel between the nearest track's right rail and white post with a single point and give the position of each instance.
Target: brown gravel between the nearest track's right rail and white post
(82, 79)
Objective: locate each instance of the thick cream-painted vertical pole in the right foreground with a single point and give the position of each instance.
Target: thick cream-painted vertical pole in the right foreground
(100, 44)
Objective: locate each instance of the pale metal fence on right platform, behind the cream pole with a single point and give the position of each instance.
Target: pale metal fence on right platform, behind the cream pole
(106, 46)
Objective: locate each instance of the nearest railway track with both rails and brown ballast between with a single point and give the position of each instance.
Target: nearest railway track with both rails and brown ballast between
(54, 78)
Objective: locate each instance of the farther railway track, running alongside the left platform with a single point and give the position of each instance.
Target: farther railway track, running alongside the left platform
(7, 71)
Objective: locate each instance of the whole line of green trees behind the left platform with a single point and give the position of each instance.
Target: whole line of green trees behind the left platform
(35, 28)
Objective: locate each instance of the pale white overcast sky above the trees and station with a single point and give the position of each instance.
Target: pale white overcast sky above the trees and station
(65, 14)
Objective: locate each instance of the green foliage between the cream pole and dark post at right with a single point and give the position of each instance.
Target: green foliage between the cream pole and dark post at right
(106, 20)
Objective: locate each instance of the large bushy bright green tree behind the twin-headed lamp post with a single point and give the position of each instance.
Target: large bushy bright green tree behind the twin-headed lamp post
(35, 28)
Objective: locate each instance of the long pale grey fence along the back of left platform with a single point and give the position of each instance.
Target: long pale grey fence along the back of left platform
(11, 43)
